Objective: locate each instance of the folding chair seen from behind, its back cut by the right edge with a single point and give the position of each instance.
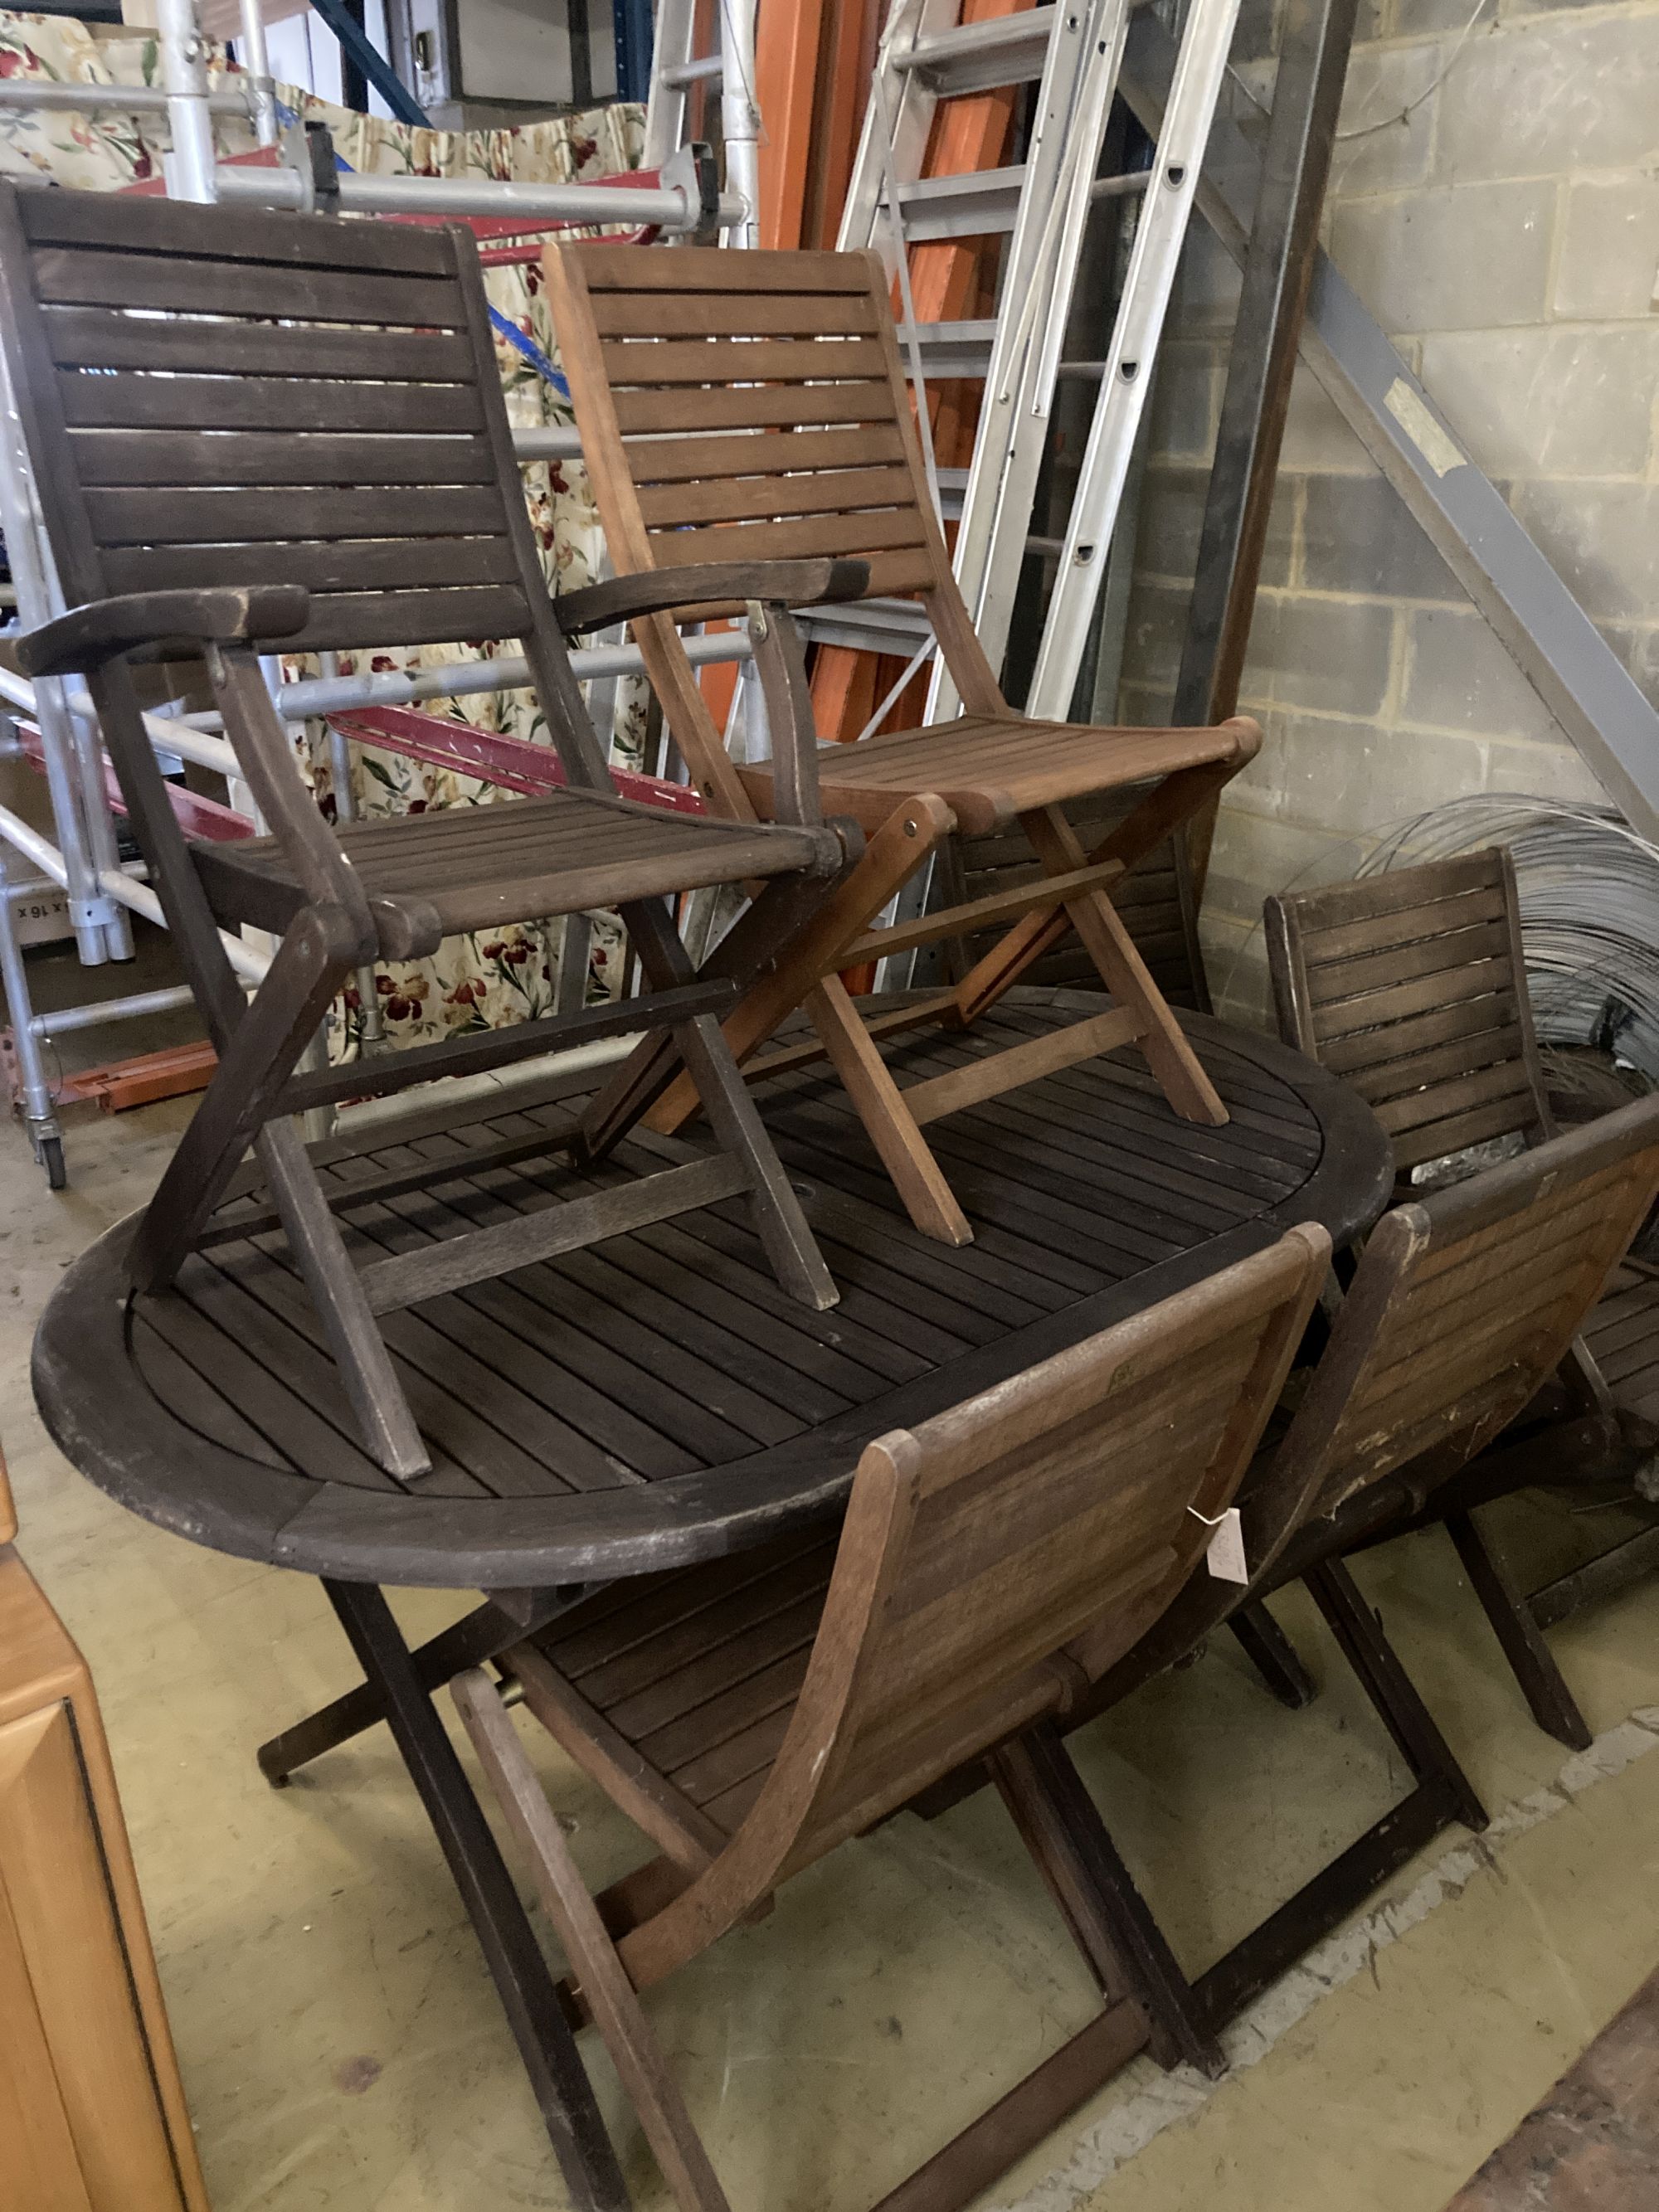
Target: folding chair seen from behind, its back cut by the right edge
(1461, 1308)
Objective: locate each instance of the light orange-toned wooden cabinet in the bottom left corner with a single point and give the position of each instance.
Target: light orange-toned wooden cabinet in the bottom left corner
(92, 2114)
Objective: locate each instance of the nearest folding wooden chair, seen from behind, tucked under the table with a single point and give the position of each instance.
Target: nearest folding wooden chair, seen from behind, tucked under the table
(758, 1713)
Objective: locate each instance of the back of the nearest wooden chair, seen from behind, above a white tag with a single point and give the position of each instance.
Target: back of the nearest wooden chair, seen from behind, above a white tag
(1005, 1554)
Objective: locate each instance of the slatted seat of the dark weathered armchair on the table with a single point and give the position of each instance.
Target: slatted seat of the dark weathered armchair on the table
(477, 868)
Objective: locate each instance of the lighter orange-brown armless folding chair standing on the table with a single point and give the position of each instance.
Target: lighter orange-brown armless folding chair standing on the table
(760, 406)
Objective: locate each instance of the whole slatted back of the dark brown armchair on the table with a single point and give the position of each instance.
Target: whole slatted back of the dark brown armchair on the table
(278, 401)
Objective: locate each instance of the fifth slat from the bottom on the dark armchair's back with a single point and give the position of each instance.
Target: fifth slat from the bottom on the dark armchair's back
(202, 404)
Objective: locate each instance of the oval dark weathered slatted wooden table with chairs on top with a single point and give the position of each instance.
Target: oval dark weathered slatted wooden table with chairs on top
(658, 1401)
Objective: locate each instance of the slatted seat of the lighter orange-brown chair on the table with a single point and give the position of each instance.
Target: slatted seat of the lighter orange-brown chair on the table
(994, 769)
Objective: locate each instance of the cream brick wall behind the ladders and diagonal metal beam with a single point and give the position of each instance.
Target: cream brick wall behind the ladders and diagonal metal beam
(1507, 238)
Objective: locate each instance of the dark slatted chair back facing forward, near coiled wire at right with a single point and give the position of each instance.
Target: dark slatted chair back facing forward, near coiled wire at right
(1412, 988)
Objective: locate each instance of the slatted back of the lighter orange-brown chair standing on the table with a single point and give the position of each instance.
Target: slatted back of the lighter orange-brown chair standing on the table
(747, 413)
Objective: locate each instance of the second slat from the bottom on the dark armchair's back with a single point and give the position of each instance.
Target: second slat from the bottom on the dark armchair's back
(333, 565)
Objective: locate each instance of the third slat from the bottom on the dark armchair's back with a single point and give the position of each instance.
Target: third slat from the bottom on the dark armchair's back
(240, 517)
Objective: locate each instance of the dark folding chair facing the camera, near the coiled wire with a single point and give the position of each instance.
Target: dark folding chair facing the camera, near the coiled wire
(1412, 985)
